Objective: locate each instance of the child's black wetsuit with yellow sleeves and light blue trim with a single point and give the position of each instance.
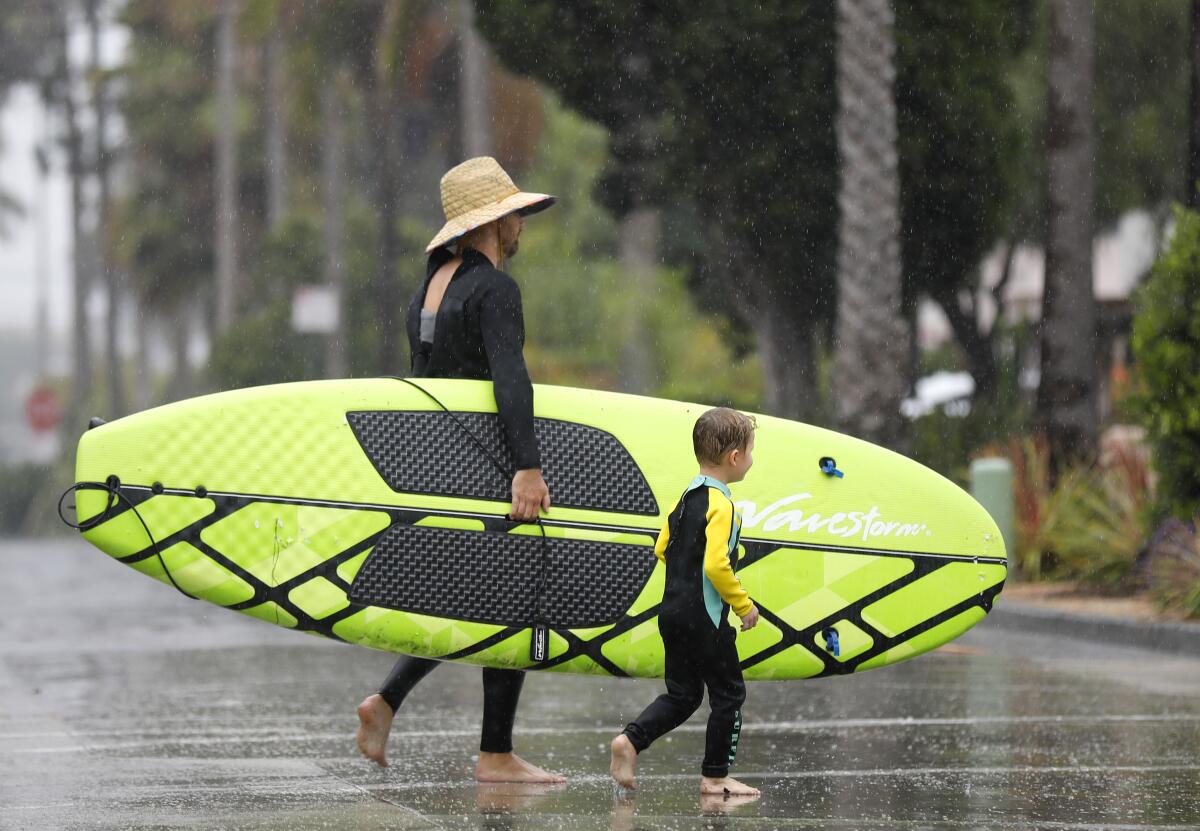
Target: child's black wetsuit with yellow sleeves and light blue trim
(699, 548)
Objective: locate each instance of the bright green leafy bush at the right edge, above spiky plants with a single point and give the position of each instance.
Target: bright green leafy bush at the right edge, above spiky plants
(1167, 352)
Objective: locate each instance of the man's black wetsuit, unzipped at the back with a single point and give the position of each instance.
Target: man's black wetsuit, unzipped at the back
(479, 334)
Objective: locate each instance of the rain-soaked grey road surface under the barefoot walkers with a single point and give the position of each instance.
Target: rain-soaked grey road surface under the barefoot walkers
(124, 706)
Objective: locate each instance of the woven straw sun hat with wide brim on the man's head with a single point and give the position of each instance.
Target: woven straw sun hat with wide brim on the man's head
(478, 193)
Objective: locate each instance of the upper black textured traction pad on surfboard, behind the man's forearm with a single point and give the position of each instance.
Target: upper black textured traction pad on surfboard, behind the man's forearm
(428, 452)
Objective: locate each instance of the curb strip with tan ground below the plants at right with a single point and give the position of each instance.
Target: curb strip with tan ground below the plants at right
(1064, 609)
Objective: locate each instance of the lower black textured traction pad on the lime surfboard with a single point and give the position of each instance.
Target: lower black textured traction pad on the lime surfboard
(491, 577)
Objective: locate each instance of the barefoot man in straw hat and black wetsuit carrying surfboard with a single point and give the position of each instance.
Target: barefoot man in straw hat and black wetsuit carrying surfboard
(466, 322)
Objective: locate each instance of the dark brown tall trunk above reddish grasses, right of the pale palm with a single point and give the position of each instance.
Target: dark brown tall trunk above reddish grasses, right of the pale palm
(1067, 406)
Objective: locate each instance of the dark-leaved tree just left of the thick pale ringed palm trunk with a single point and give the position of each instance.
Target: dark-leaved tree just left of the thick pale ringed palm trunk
(693, 128)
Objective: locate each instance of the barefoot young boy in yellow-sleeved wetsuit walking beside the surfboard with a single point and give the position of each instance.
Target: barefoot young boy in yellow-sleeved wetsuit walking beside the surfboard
(699, 547)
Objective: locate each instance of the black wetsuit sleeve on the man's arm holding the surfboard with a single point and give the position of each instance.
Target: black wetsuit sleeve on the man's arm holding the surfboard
(503, 328)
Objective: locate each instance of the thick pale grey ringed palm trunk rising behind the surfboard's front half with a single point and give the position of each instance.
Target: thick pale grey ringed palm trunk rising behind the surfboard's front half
(873, 340)
